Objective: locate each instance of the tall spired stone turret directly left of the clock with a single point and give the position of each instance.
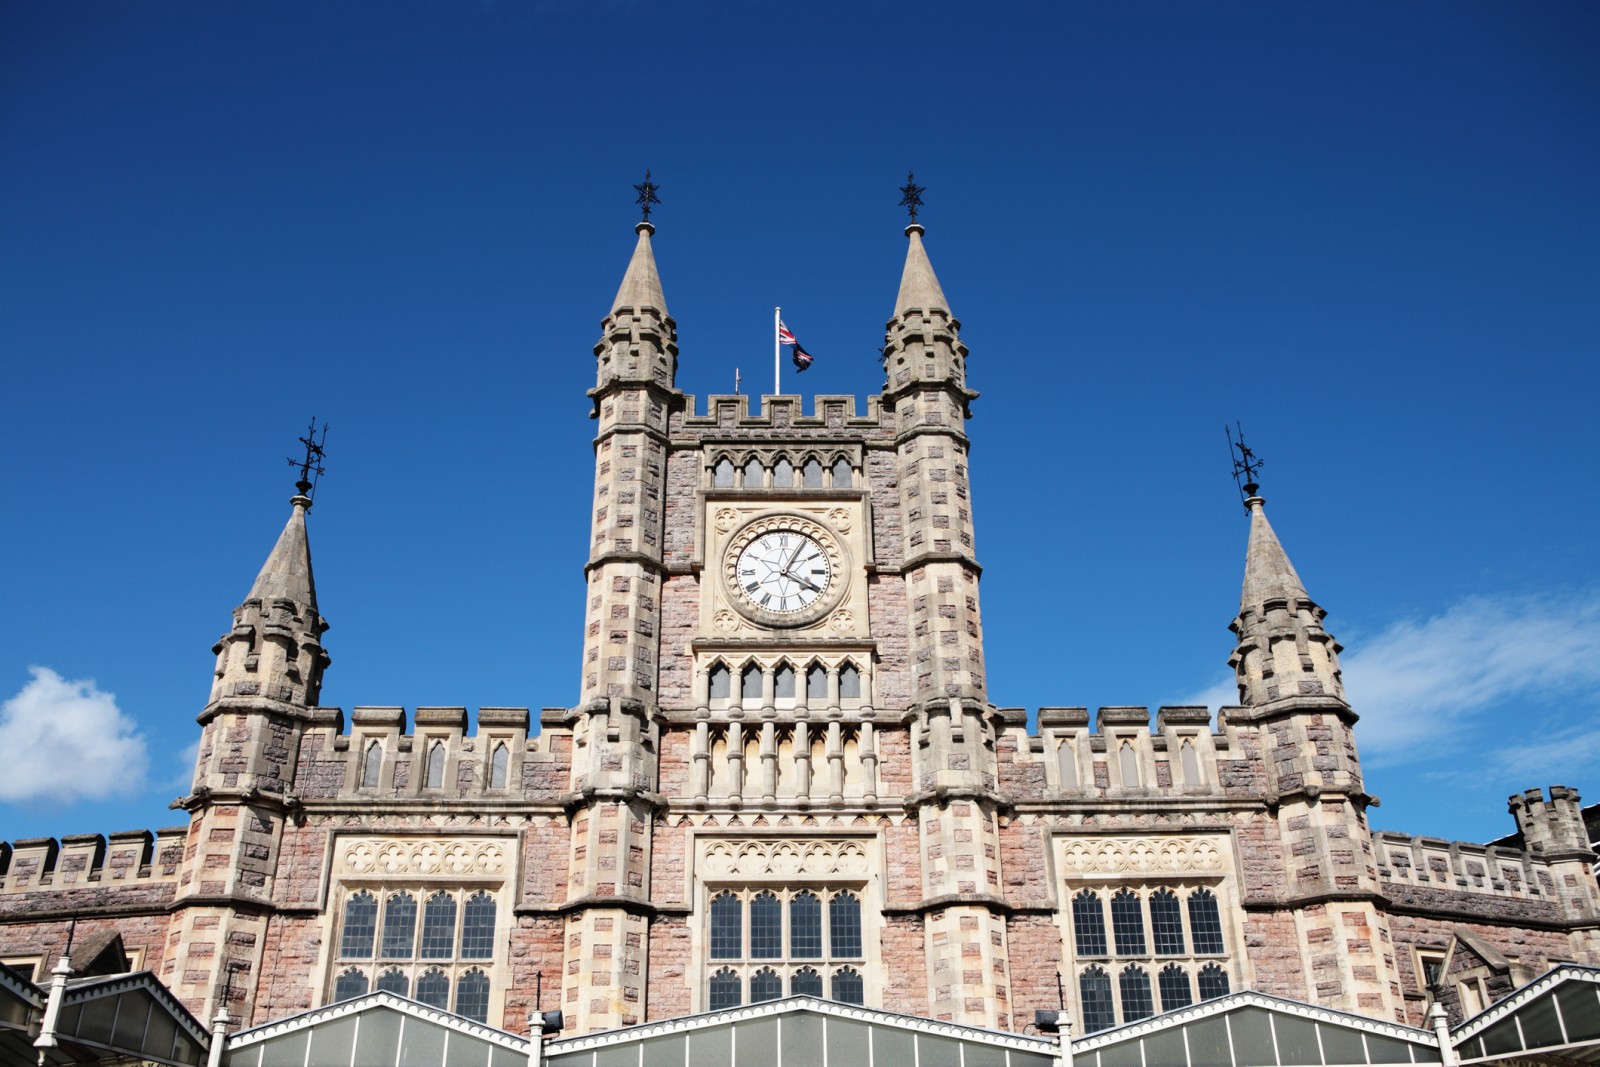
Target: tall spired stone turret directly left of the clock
(614, 797)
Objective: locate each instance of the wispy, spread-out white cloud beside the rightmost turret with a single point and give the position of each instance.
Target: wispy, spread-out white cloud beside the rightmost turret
(1422, 685)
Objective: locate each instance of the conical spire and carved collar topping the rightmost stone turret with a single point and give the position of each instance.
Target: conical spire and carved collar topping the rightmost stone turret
(1282, 650)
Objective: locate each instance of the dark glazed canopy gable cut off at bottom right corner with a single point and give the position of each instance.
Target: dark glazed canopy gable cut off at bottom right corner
(1553, 1018)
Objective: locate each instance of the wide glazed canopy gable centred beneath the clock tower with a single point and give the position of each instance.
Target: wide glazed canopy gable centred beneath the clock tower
(810, 1031)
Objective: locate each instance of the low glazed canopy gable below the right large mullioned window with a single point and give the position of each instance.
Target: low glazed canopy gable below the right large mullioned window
(1257, 1029)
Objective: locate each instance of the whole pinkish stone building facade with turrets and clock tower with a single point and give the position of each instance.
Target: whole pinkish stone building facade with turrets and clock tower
(783, 775)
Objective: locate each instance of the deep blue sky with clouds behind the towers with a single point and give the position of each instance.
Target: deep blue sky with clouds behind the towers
(1366, 231)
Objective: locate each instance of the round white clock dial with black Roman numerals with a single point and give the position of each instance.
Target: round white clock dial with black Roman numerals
(783, 575)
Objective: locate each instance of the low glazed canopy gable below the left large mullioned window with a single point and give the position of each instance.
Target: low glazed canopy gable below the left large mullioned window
(391, 1031)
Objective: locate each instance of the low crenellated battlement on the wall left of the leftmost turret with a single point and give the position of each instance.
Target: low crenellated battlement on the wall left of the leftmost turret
(84, 861)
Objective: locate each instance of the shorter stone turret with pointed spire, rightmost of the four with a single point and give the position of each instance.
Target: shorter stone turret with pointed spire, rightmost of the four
(1294, 698)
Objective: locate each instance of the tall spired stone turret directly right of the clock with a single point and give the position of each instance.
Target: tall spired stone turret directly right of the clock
(951, 722)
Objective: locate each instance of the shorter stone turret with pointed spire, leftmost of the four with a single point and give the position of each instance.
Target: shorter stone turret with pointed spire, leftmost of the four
(268, 679)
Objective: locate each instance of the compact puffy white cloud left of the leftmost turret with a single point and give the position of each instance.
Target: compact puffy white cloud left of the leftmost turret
(68, 741)
